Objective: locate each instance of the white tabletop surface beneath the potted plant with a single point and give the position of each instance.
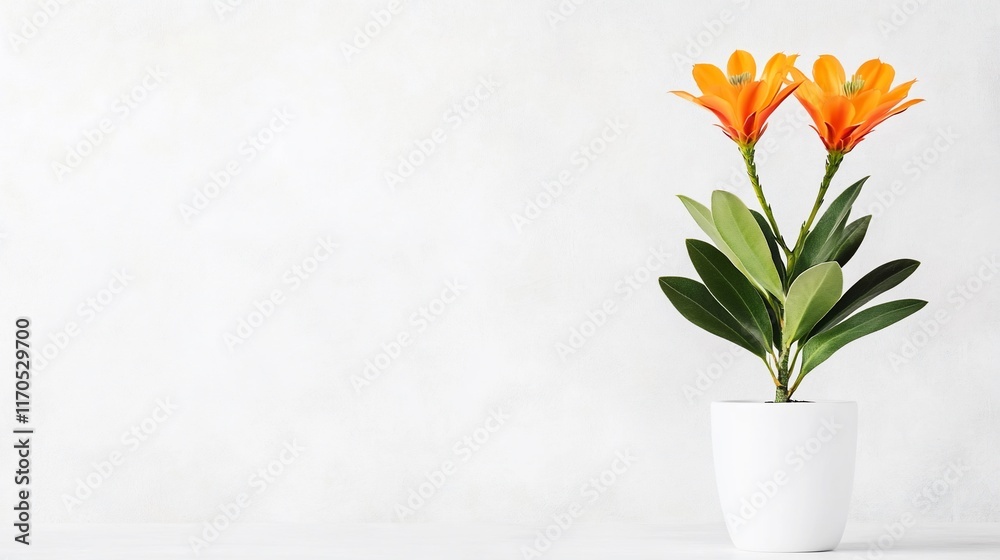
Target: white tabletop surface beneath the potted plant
(491, 542)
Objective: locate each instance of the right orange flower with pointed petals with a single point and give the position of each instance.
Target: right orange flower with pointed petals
(843, 110)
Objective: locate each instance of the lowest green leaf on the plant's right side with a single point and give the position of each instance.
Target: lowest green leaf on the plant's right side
(823, 345)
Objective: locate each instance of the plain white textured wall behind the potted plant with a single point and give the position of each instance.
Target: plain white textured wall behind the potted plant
(630, 387)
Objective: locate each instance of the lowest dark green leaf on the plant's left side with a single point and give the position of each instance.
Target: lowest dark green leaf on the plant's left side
(697, 305)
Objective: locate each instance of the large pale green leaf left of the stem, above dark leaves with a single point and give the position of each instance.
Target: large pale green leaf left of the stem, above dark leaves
(741, 233)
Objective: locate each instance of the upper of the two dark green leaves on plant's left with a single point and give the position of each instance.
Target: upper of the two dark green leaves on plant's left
(731, 289)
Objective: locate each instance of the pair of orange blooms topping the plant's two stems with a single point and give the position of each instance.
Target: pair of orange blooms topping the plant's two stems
(843, 110)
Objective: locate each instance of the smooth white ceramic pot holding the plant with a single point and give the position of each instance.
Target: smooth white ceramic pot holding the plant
(785, 472)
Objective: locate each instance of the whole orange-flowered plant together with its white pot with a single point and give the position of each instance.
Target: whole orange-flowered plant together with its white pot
(785, 468)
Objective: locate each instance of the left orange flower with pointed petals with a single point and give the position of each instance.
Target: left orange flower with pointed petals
(741, 103)
